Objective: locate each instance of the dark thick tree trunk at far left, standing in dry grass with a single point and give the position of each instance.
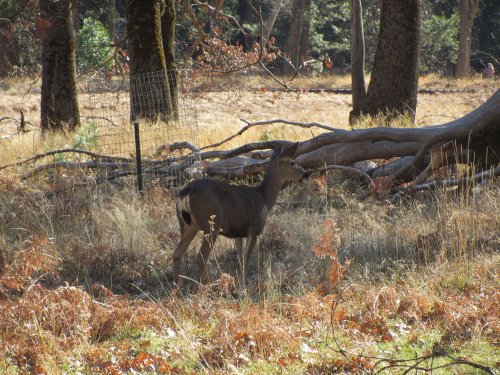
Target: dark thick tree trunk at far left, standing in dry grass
(59, 103)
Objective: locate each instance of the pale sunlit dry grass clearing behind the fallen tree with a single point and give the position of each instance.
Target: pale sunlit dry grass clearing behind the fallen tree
(219, 113)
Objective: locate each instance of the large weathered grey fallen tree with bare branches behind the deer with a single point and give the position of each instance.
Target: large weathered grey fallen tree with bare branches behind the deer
(472, 139)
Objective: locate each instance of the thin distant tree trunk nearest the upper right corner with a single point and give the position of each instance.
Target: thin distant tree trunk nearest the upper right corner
(467, 10)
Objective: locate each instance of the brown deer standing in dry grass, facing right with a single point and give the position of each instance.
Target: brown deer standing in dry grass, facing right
(234, 211)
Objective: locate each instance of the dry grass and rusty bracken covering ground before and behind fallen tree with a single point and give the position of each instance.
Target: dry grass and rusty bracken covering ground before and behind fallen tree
(338, 285)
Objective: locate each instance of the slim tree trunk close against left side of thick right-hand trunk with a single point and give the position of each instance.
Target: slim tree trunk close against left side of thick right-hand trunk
(357, 57)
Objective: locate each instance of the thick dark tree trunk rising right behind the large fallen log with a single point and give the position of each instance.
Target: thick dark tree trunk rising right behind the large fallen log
(394, 83)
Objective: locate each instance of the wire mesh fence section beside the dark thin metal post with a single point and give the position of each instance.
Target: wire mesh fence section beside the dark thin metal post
(161, 104)
